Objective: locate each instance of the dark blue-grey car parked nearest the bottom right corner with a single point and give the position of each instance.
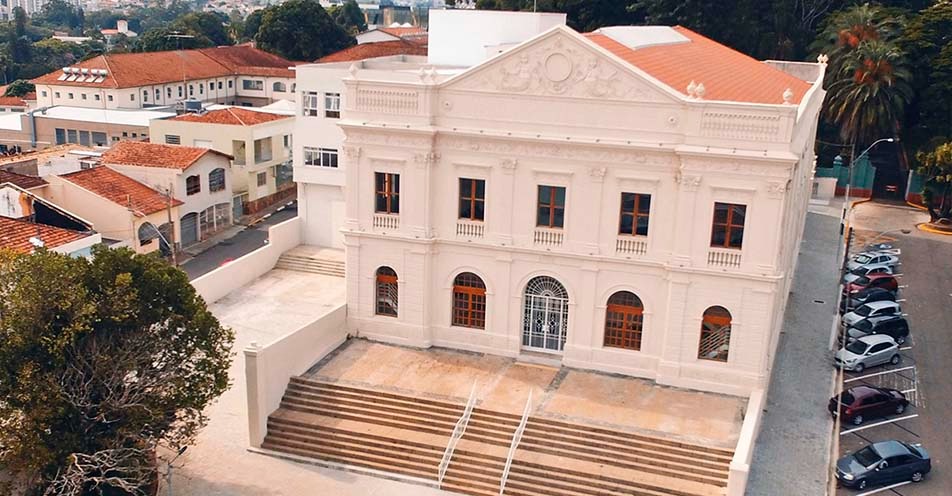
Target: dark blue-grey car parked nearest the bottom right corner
(883, 463)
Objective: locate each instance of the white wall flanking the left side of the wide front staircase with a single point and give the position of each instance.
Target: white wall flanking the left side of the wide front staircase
(268, 369)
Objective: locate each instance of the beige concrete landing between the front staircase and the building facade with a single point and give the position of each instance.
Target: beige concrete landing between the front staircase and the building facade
(503, 384)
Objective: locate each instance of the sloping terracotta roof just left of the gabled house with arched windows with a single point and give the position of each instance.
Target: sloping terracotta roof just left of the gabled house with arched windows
(120, 189)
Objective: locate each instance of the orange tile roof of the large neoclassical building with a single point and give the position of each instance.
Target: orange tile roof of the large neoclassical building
(727, 74)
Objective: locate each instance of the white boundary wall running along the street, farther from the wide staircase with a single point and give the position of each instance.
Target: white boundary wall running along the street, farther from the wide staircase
(218, 283)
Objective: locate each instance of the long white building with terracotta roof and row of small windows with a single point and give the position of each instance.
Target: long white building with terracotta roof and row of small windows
(236, 75)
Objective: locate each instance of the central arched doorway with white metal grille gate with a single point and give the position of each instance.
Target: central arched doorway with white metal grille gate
(545, 315)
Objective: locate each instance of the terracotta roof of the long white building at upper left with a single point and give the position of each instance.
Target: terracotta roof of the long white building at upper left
(129, 70)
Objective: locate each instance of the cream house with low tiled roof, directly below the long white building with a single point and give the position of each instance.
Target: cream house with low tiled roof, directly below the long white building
(258, 141)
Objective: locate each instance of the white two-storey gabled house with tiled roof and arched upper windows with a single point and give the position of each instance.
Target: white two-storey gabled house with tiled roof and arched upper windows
(200, 177)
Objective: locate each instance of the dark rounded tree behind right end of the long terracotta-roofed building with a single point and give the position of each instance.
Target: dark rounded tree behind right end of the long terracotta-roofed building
(300, 30)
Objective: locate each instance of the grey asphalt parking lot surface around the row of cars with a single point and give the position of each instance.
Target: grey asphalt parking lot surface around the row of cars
(925, 296)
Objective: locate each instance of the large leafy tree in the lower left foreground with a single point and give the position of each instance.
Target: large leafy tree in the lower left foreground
(100, 361)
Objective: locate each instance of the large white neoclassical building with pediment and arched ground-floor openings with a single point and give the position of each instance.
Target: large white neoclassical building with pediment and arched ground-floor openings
(629, 200)
